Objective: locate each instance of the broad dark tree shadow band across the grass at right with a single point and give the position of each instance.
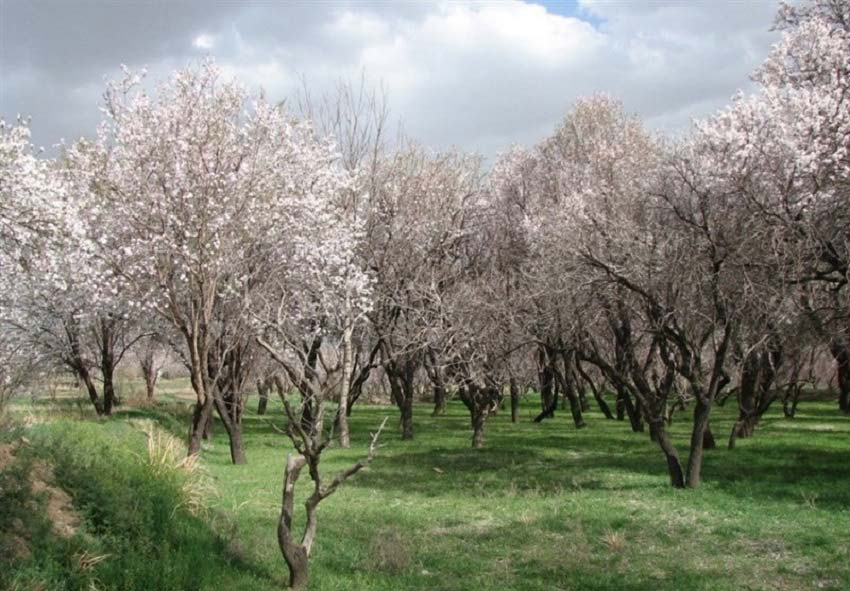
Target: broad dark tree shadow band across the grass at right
(776, 465)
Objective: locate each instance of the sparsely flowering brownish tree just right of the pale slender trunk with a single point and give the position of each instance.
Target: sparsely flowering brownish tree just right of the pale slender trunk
(414, 230)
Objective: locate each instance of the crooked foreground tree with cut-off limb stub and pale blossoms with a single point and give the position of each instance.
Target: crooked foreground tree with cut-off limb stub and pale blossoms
(314, 293)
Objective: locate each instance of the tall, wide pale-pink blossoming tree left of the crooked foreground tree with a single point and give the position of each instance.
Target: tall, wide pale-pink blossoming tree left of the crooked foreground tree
(190, 182)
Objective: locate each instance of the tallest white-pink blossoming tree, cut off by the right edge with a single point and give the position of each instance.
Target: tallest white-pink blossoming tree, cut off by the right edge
(785, 151)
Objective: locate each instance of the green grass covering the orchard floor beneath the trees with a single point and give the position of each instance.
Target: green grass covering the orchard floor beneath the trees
(542, 507)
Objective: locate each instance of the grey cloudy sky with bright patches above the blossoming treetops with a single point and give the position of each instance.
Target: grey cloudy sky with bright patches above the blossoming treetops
(476, 75)
